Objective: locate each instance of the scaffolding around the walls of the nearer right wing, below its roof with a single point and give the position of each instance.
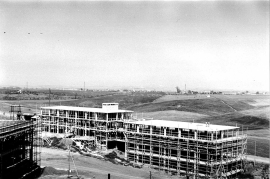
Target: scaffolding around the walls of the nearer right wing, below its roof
(190, 152)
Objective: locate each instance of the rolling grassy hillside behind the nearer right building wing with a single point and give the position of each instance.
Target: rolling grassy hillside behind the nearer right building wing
(249, 112)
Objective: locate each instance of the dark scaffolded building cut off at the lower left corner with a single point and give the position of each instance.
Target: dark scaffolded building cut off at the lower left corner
(19, 149)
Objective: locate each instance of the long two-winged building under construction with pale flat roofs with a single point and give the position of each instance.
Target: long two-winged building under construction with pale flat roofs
(191, 149)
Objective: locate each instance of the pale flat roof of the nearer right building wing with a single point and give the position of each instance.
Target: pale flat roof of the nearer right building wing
(184, 125)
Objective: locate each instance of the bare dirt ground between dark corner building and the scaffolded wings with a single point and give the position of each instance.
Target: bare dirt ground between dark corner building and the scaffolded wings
(89, 167)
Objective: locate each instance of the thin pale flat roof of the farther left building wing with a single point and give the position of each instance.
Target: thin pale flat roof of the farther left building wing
(85, 109)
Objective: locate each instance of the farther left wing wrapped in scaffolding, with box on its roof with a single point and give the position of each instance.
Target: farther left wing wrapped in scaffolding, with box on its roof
(104, 124)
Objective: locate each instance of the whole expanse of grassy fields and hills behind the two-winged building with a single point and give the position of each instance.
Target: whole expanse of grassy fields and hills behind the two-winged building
(250, 112)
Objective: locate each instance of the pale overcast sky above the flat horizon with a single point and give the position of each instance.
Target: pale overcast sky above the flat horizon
(158, 45)
